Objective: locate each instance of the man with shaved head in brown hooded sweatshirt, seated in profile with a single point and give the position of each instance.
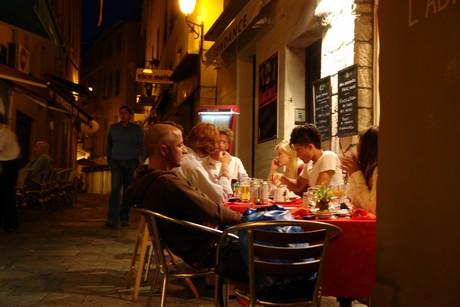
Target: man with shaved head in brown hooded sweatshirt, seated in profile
(157, 187)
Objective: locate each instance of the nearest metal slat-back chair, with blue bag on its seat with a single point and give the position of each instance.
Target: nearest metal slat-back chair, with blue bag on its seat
(273, 254)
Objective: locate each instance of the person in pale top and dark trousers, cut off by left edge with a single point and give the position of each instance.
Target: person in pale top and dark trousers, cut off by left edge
(9, 167)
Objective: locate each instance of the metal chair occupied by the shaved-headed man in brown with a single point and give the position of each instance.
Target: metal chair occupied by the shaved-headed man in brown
(171, 269)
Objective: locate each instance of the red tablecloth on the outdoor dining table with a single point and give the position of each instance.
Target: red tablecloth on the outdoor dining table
(349, 270)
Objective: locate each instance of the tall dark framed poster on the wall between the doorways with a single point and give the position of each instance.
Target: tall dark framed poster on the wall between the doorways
(268, 99)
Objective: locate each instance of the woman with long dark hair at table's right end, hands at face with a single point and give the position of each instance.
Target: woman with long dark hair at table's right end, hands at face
(361, 168)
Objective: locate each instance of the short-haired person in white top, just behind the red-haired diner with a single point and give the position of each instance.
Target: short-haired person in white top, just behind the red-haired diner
(212, 163)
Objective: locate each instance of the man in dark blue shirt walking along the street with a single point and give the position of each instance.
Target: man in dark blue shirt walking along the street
(125, 151)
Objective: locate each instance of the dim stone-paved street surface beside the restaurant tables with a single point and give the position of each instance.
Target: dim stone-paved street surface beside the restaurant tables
(66, 256)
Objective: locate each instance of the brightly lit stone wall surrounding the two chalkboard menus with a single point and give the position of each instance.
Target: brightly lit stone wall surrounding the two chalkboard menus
(348, 39)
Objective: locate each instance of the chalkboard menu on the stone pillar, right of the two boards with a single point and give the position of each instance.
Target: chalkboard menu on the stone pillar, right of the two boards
(348, 101)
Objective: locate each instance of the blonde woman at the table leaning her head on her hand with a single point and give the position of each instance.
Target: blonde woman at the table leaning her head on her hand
(285, 156)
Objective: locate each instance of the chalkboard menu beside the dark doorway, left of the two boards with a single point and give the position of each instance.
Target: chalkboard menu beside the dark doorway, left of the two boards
(322, 106)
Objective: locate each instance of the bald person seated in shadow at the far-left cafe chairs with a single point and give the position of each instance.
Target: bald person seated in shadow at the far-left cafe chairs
(41, 163)
